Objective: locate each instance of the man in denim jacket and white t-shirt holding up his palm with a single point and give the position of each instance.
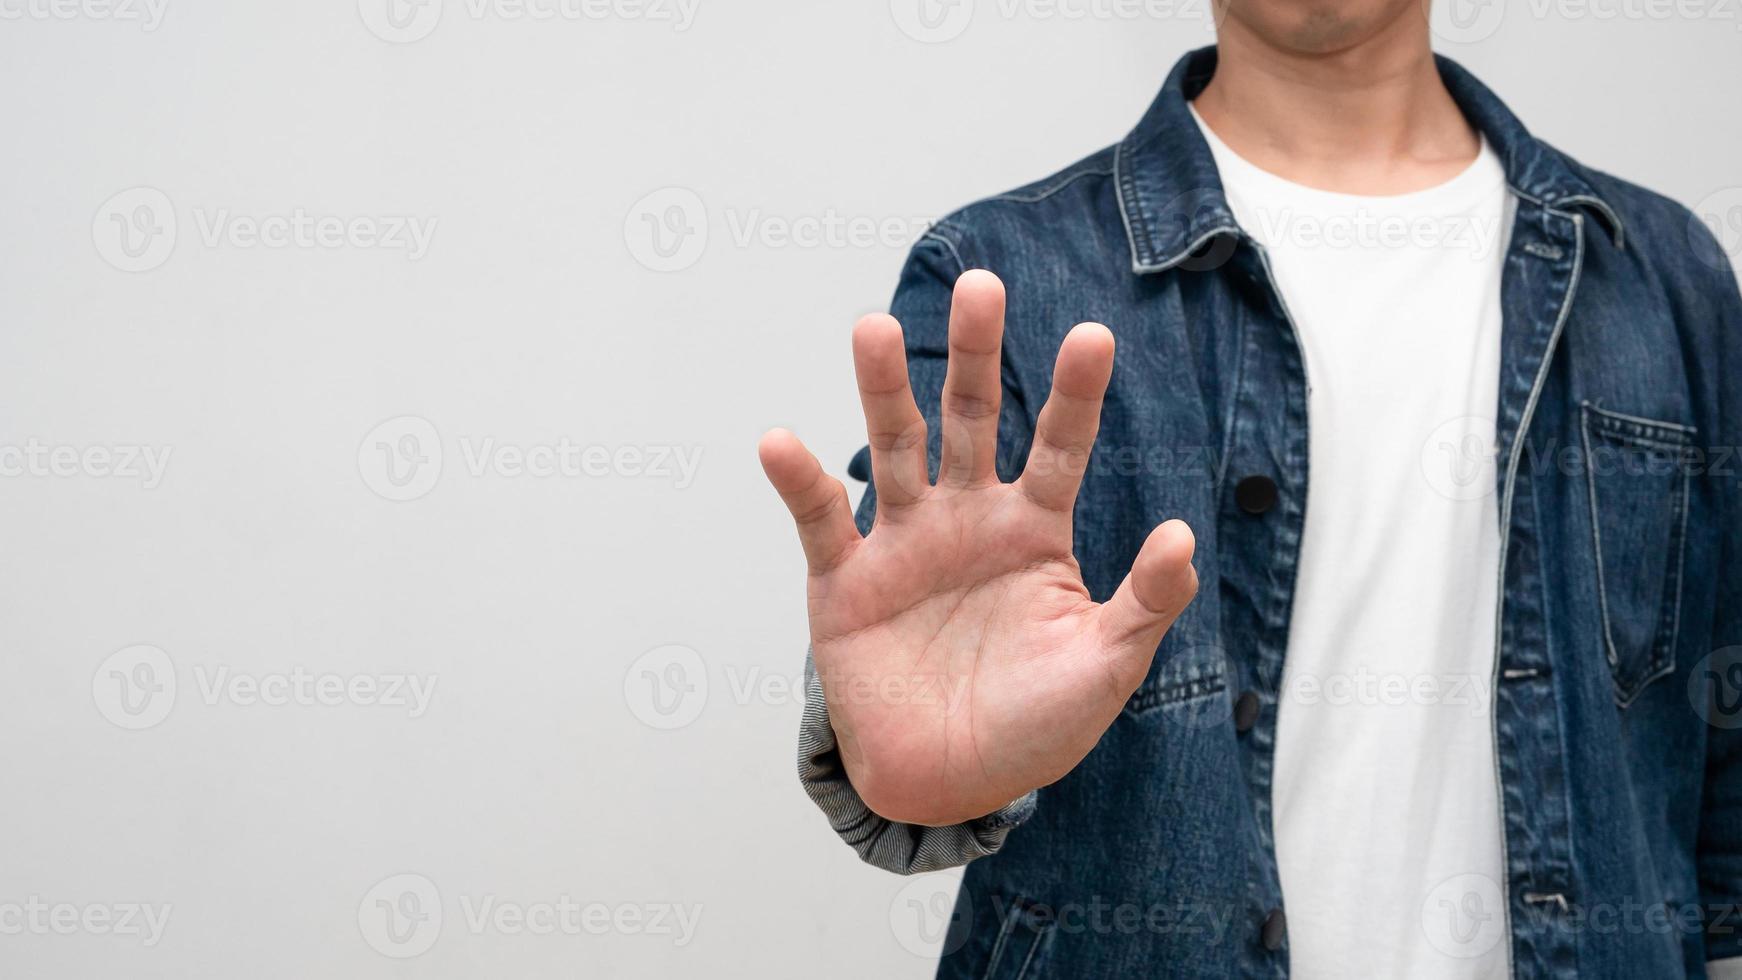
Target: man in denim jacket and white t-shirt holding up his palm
(1419, 695)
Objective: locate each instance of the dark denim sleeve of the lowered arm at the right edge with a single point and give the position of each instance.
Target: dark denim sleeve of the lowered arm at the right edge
(1720, 845)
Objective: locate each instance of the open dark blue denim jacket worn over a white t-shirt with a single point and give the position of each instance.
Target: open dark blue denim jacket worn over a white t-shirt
(1616, 722)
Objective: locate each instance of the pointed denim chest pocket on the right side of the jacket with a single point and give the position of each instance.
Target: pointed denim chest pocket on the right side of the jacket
(1638, 476)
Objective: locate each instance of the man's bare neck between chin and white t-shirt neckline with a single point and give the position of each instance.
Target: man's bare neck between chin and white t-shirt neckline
(1370, 119)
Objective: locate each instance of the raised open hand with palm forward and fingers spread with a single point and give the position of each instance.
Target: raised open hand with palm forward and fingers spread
(961, 654)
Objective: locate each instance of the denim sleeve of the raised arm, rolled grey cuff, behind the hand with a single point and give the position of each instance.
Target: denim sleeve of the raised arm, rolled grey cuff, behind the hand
(922, 305)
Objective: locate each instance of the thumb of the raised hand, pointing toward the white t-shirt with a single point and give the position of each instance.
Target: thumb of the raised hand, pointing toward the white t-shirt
(1159, 587)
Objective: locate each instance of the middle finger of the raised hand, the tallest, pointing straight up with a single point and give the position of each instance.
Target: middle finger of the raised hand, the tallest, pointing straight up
(973, 382)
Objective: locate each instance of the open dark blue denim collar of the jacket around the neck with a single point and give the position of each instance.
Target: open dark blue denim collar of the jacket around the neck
(1171, 194)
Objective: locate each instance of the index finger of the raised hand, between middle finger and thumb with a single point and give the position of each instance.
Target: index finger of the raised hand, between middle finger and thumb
(1072, 417)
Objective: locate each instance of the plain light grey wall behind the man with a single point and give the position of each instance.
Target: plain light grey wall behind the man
(546, 610)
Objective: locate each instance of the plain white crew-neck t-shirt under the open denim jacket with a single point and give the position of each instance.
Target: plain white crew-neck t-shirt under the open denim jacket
(1388, 821)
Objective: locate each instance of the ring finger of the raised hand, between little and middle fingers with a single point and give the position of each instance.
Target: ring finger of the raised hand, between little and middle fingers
(895, 424)
